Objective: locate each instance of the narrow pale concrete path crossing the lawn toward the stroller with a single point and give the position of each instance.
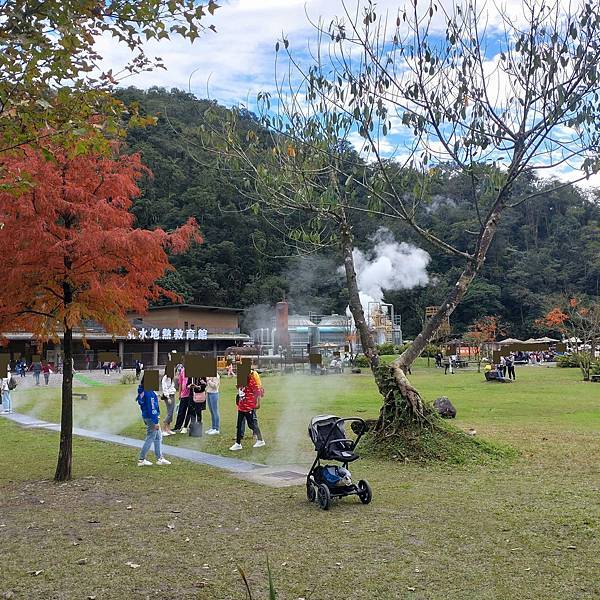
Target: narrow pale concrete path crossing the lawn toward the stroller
(272, 476)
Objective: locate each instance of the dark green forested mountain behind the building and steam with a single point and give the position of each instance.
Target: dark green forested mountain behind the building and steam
(548, 246)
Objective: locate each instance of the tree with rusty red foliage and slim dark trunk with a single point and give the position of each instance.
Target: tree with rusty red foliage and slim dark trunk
(72, 252)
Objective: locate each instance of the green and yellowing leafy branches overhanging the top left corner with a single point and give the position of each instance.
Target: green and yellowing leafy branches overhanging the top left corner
(52, 80)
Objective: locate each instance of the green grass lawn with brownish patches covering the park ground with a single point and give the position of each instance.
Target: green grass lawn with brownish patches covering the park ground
(521, 529)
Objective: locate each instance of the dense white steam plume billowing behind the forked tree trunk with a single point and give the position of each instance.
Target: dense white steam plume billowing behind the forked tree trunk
(389, 266)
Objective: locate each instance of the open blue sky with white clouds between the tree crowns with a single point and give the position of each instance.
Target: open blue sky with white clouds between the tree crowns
(238, 61)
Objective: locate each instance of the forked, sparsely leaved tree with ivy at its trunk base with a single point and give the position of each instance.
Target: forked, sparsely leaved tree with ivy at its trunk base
(501, 100)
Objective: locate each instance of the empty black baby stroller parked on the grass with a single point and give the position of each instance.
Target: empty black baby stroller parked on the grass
(325, 482)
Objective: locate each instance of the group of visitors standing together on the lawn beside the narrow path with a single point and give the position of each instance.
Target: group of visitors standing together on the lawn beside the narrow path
(196, 394)
